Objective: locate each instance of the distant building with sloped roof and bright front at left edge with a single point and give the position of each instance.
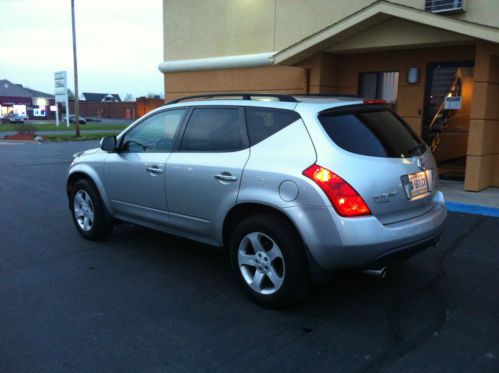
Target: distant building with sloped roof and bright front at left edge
(26, 102)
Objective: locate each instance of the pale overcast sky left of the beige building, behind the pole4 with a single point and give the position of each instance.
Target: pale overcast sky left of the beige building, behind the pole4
(119, 44)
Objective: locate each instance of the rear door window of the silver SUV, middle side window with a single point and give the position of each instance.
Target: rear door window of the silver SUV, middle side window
(214, 129)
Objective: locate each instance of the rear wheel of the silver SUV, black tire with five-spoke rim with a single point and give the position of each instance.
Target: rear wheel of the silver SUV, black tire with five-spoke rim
(269, 261)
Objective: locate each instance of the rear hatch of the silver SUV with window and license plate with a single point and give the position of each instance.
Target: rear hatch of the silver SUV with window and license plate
(382, 158)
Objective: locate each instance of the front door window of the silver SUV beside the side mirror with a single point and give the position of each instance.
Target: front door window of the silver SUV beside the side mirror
(155, 134)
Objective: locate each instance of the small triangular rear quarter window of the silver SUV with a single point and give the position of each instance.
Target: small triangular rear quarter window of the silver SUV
(263, 123)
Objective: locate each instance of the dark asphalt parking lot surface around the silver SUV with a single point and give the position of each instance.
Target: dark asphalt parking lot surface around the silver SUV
(146, 301)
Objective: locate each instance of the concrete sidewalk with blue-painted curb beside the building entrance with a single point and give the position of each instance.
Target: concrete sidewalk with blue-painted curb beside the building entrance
(485, 202)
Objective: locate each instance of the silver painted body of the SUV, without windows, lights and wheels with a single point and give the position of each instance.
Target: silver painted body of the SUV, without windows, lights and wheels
(191, 193)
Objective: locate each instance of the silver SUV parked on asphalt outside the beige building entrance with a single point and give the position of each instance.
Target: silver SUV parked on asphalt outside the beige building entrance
(294, 187)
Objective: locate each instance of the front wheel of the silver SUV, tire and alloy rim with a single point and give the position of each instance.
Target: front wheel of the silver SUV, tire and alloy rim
(89, 213)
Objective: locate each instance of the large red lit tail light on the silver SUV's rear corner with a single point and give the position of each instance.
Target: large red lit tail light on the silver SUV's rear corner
(346, 201)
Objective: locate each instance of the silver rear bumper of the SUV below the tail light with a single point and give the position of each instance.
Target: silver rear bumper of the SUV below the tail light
(339, 243)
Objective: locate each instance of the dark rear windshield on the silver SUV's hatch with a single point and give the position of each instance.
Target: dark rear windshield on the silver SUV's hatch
(376, 133)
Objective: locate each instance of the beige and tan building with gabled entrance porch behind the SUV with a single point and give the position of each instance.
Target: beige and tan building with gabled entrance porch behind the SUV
(435, 61)
